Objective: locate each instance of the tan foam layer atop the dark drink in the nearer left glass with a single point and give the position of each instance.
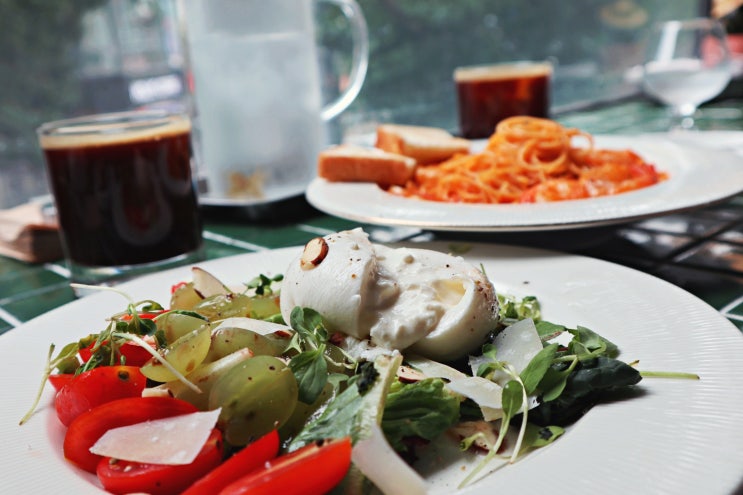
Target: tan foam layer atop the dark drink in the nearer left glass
(82, 132)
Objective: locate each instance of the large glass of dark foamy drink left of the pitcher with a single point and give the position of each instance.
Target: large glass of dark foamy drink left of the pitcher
(124, 193)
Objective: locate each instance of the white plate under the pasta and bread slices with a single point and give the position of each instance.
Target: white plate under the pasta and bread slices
(700, 174)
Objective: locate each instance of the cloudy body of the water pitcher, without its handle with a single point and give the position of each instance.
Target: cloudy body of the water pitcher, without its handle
(258, 101)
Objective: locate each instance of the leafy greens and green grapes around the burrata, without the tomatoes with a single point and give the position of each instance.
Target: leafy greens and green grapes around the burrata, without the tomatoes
(330, 394)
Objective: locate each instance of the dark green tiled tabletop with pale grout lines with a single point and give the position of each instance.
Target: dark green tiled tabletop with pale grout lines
(700, 251)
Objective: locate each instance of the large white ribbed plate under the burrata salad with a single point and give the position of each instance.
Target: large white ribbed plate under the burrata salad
(670, 435)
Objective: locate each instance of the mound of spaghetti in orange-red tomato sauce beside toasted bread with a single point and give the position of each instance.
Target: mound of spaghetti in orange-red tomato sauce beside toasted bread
(530, 159)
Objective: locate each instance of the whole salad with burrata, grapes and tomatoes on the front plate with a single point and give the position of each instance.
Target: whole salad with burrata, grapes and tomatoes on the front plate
(262, 360)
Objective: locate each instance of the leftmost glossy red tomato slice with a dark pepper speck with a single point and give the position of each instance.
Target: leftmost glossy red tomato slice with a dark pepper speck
(93, 387)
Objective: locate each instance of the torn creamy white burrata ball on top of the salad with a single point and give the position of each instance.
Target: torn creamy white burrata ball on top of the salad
(434, 304)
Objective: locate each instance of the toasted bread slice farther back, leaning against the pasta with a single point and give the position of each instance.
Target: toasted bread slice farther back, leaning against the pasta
(425, 144)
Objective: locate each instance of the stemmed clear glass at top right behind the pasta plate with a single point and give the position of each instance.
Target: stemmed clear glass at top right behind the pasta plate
(688, 63)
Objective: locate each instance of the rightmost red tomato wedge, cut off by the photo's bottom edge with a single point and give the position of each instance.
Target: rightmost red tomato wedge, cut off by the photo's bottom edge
(311, 470)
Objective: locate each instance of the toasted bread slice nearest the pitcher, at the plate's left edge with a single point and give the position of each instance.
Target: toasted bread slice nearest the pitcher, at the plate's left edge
(350, 163)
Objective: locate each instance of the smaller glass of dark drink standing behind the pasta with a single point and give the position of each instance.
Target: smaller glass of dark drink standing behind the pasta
(488, 94)
